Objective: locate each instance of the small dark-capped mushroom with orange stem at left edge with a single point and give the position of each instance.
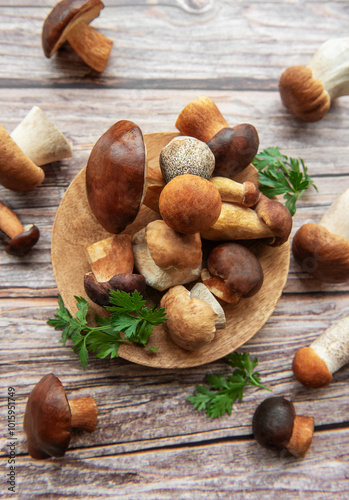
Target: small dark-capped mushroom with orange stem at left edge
(22, 238)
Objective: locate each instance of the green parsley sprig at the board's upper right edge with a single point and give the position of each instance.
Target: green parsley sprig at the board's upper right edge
(278, 174)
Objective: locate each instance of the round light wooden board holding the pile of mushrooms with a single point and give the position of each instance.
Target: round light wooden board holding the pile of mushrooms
(75, 228)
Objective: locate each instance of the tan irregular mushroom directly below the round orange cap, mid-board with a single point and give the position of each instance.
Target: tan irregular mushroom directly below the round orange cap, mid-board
(165, 257)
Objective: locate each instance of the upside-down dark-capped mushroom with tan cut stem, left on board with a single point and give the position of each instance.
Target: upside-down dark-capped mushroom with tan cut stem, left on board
(112, 264)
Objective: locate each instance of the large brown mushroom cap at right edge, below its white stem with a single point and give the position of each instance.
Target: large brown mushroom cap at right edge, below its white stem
(322, 254)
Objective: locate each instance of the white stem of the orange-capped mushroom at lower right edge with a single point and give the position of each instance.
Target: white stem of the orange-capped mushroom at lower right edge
(333, 345)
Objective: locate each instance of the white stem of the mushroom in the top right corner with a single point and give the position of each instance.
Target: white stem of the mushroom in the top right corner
(330, 65)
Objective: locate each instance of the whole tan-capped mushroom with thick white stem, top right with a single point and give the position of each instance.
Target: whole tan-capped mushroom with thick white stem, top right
(307, 91)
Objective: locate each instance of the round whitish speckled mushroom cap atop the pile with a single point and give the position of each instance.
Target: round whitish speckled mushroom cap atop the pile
(186, 155)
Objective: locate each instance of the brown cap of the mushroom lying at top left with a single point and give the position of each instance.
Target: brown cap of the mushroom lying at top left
(63, 17)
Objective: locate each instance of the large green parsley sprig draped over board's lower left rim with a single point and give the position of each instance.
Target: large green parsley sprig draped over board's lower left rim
(129, 316)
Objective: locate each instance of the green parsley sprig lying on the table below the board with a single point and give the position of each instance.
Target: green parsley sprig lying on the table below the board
(223, 392)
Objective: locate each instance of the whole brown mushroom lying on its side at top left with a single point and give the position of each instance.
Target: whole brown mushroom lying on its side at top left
(69, 21)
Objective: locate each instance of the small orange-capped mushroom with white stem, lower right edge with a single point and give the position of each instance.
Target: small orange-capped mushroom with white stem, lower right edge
(313, 366)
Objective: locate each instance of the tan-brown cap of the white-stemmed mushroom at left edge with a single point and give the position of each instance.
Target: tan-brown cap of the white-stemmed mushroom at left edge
(17, 171)
